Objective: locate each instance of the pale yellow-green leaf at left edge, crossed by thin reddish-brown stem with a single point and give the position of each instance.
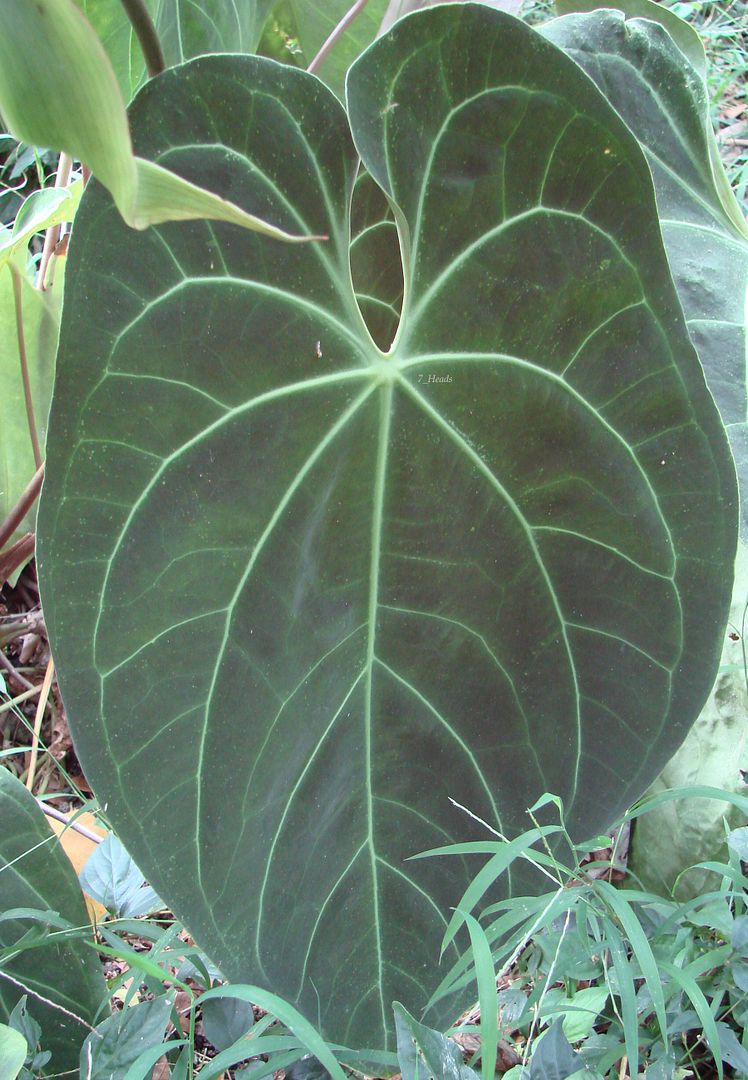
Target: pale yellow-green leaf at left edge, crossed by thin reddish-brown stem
(42, 323)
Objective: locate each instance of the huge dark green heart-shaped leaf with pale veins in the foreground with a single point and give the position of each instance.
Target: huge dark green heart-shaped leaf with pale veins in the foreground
(302, 591)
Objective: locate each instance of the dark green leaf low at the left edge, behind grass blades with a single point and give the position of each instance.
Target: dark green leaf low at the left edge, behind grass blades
(35, 872)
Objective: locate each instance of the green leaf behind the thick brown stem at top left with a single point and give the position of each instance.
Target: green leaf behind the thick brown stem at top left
(185, 30)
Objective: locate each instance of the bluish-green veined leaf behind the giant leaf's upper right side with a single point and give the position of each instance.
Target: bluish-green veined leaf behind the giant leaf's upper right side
(659, 88)
